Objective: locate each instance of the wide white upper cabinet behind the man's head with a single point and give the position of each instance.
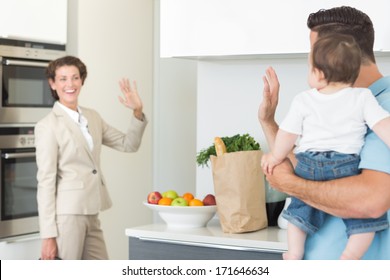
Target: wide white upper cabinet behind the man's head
(248, 27)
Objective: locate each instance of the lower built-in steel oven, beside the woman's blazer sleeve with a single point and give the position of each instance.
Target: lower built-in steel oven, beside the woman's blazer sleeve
(18, 171)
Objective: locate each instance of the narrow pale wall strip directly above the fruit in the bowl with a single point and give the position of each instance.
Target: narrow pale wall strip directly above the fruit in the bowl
(174, 121)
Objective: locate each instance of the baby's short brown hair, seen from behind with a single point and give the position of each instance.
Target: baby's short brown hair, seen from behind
(338, 56)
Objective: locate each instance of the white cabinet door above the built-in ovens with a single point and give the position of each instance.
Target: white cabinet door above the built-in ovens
(35, 20)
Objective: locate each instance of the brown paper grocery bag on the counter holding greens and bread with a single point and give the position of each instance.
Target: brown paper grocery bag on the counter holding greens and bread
(239, 191)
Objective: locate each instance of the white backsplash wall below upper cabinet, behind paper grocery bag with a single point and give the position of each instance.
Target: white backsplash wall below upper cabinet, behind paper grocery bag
(228, 98)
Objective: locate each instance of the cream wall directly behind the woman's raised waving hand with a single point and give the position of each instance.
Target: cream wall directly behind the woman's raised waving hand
(115, 39)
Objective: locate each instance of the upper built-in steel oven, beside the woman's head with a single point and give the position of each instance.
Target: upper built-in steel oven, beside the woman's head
(25, 92)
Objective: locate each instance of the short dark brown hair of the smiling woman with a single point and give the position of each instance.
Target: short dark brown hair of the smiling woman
(68, 61)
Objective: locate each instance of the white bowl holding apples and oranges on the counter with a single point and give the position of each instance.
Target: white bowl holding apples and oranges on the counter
(184, 216)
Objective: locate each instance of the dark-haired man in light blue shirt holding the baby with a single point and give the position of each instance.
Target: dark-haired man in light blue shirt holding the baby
(365, 195)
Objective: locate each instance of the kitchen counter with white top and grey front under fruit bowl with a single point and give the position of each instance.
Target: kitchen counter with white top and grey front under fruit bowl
(159, 242)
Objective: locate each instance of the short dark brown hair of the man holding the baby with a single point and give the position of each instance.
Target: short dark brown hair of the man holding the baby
(349, 21)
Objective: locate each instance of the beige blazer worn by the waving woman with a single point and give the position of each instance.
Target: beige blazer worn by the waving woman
(70, 180)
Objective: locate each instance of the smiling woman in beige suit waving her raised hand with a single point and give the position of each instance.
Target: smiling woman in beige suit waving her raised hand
(71, 186)
